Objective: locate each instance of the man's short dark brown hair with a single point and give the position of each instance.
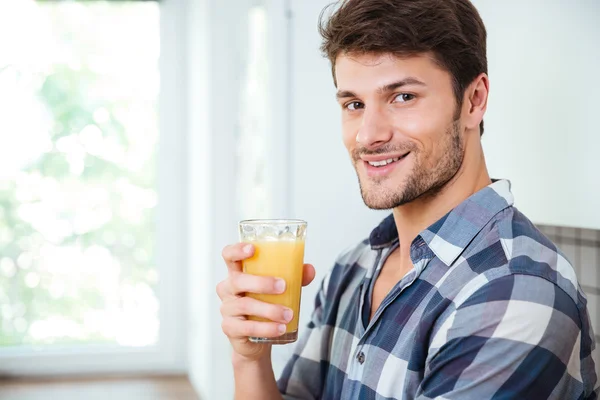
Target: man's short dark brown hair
(452, 30)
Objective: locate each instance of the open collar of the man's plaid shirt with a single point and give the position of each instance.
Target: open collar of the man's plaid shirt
(449, 236)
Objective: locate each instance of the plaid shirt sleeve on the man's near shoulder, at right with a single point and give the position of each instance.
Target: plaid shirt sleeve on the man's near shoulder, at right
(517, 337)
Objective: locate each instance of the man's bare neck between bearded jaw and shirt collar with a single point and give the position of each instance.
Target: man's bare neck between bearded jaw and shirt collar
(414, 217)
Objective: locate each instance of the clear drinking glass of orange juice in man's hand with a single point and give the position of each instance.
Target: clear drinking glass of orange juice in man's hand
(278, 252)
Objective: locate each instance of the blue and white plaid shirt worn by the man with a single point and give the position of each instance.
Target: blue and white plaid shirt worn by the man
(491, 310)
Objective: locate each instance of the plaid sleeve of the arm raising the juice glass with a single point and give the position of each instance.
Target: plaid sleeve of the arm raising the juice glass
(304, 374)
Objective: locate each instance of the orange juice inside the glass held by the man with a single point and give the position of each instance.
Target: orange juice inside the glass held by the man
(280, 259)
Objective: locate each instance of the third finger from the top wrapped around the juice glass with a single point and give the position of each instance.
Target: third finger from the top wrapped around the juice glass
(246, 306)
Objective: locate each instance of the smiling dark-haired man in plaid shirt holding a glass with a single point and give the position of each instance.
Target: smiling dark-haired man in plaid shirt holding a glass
(456, 295)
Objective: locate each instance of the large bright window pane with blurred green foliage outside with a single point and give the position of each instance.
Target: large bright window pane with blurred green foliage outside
(78, 142)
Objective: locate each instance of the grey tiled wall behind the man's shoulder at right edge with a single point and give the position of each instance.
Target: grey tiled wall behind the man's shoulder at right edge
(582, 247)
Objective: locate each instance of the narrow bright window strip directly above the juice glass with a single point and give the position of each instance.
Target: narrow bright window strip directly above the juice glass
(263, 158)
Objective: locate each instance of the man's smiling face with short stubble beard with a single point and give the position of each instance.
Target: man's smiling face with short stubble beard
(401, 126)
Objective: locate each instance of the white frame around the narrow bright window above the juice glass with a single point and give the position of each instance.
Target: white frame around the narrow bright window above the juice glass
(214, 55)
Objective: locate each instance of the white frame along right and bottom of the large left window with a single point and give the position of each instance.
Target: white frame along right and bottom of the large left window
(169, 354)
